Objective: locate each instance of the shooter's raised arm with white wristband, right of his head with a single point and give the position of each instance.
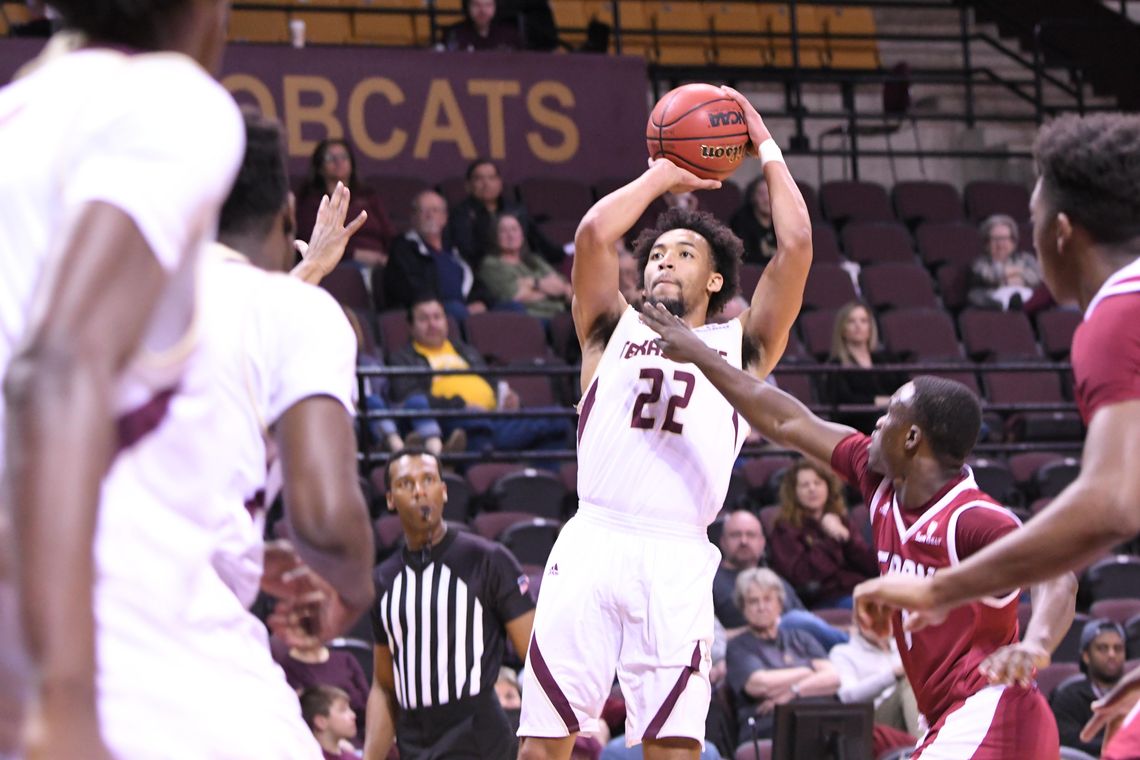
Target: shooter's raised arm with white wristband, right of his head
(780, 293)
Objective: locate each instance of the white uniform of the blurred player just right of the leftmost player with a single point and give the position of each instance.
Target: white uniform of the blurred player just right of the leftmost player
(180, 540)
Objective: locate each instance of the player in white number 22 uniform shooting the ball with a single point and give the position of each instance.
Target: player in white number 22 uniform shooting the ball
(629, 584)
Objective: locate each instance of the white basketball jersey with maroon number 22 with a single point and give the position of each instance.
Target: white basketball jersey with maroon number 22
(656, 439)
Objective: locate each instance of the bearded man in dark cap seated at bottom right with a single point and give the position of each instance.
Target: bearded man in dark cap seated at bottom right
(1103, 664)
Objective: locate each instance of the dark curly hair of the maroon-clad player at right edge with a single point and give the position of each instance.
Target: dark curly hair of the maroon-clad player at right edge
(1090, 170)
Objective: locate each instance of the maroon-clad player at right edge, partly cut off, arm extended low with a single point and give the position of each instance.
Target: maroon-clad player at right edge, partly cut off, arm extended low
(1086, 211)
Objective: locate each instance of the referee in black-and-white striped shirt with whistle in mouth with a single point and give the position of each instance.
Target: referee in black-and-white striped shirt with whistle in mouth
(445, 607)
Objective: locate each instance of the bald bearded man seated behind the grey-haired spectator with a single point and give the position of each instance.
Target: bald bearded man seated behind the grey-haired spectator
(743, 546)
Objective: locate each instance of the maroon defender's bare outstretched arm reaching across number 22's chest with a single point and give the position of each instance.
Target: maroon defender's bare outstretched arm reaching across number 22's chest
(778, 416)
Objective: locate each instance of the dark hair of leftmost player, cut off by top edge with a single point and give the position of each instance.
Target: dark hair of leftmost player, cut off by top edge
(129, 22)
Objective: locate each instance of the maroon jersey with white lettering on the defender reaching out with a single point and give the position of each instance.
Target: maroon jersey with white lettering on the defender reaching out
(941, 661)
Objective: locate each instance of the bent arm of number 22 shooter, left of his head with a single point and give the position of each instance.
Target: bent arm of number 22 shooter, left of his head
(596, 260)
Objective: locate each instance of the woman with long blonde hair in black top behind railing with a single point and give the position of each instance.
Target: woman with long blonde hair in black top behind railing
(856, 345)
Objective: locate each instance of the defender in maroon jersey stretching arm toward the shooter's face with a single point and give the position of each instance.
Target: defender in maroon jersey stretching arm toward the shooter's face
(972, 679)
